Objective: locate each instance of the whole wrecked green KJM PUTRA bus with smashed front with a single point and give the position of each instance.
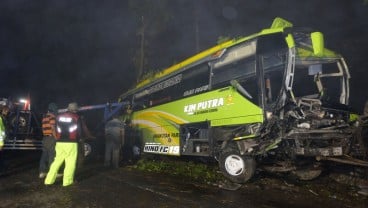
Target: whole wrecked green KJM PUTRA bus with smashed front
(277, 97)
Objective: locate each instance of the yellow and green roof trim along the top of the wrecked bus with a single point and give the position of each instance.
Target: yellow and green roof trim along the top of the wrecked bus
(278, 25)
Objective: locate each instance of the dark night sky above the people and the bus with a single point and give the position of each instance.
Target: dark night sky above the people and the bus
(82, 50)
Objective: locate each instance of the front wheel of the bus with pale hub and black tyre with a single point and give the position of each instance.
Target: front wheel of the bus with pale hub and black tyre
(235, 167)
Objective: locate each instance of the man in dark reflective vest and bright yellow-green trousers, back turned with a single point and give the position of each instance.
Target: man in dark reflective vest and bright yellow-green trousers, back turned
(68, 132)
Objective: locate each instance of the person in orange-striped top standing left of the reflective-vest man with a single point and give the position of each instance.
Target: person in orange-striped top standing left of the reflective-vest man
(48, 141)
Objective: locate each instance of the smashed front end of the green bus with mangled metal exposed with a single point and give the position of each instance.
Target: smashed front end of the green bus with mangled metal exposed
(307, 118)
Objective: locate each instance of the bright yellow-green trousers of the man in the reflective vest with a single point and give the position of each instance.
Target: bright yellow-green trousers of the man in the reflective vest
(68, 152)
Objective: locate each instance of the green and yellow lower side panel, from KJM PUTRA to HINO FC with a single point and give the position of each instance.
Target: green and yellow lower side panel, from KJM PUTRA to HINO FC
(160, 124)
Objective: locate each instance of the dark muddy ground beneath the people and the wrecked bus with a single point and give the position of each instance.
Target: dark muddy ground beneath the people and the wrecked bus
(128, 187)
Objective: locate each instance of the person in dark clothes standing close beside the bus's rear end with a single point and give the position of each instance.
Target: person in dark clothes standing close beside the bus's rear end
(114, 140)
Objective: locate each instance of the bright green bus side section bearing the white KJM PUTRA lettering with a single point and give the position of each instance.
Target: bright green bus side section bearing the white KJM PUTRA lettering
(224, 104)
